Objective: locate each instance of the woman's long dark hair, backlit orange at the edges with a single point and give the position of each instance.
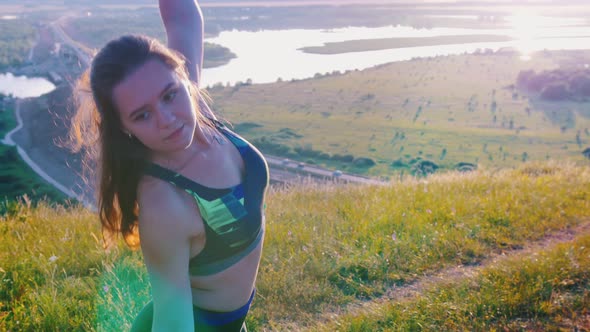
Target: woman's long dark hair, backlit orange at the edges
(116, 159)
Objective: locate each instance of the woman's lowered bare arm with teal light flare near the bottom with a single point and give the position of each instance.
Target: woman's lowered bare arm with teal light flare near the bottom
(166, 250)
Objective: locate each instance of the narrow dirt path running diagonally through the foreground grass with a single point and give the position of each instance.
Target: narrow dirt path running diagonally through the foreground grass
(457, 273)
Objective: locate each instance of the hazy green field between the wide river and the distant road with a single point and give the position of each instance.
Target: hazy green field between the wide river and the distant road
(445, 109)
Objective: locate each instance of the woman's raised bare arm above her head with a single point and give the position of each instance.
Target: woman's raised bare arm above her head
(184, 25)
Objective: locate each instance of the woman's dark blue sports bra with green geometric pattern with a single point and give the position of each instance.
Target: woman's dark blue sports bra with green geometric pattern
(233, 217)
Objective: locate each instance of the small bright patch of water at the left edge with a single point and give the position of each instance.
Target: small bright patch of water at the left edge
(24, 87)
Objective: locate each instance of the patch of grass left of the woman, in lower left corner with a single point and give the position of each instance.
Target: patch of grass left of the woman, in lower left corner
(57, 277)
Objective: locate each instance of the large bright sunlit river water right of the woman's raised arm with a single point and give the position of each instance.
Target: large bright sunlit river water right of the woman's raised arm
(265, 56)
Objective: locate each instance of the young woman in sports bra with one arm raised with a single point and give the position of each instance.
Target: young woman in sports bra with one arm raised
(174, 179)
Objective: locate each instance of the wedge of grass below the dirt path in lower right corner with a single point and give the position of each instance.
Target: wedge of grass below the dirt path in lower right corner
(545, 291)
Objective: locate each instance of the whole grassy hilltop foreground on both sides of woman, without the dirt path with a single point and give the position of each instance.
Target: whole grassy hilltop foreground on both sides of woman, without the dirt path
(331, 246)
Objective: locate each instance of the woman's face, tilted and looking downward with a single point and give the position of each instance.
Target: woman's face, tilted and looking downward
(155, 106)
